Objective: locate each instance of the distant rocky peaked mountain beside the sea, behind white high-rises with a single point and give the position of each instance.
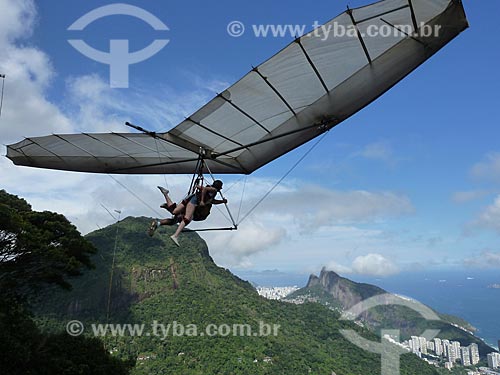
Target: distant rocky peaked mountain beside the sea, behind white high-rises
(341, 294)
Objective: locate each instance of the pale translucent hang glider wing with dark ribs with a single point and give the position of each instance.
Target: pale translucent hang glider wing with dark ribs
(310, 86)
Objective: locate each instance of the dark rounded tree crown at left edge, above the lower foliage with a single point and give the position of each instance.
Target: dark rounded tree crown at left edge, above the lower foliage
(37, 247)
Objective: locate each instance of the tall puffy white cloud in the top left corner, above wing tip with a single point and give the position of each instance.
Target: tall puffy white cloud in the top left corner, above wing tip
(26, 111)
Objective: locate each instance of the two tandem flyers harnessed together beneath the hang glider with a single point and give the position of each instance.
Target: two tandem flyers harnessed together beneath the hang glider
(194, 207)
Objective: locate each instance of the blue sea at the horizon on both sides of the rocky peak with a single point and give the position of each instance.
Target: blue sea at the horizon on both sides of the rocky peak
(464, 294)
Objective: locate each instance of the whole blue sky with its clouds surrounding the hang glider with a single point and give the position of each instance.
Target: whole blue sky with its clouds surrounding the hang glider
(411, 182)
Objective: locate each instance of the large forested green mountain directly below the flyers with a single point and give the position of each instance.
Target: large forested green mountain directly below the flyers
(156, 283)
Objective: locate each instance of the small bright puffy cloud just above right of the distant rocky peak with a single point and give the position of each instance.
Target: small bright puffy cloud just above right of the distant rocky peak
(369, 265)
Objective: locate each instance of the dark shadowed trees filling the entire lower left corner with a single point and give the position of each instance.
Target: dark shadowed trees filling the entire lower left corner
(36, 249)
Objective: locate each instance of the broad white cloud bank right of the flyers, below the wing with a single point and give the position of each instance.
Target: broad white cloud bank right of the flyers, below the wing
(298, 213)
